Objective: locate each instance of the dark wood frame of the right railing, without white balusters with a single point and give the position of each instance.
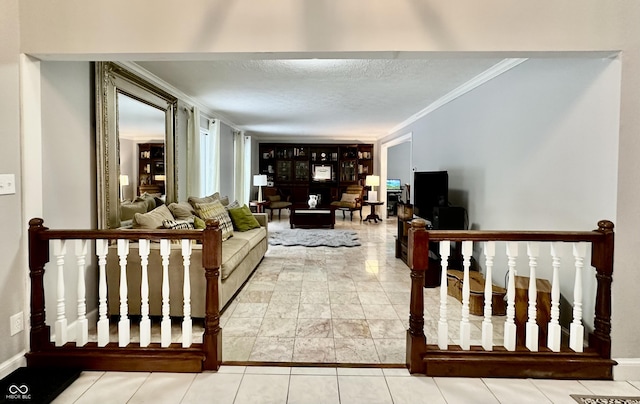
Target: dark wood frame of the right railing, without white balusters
(422, 358)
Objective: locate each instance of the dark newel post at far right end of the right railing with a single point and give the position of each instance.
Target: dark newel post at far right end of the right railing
(602, 260)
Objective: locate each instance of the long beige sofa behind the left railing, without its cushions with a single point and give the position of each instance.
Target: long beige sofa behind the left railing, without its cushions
(241, 254)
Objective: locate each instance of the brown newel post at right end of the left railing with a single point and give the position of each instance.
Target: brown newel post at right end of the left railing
(211, 261)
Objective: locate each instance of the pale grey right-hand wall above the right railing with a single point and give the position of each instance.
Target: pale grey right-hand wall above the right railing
(535, 148)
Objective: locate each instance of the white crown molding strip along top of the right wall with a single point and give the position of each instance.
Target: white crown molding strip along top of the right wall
(488, 75)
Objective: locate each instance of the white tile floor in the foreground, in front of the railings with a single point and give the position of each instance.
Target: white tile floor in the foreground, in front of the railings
(279, 385)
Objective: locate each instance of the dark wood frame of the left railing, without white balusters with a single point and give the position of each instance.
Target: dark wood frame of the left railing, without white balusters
(44, 353)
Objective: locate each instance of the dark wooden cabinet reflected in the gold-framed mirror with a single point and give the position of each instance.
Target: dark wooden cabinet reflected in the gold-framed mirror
(151, 174)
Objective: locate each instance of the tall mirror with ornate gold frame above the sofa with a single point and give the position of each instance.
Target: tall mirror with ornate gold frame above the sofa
(114, 86)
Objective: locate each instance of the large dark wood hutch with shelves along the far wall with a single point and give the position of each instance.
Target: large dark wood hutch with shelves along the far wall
(298, 170)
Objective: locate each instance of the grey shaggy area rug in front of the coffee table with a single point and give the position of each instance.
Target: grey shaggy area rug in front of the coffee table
(314, 238)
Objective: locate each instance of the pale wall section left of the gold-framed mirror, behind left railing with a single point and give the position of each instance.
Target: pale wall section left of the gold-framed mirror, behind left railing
(69, 192)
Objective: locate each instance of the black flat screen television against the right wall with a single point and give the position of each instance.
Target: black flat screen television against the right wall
(430, 189)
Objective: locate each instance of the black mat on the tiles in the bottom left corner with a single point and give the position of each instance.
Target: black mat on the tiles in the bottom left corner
(34, 385)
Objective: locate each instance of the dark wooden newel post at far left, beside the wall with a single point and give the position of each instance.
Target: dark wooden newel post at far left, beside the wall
(38, 256)
